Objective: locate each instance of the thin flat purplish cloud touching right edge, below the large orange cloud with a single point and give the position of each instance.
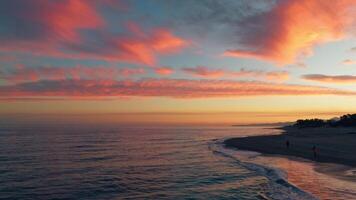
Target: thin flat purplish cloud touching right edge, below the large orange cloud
(342, 79)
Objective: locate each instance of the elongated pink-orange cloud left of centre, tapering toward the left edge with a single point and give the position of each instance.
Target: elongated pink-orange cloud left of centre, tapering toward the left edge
(139, 49)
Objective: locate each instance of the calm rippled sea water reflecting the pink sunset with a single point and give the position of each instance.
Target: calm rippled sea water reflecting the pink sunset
(113, 162)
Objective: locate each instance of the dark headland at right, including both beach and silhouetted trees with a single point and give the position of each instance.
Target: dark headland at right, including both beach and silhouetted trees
(331, 141)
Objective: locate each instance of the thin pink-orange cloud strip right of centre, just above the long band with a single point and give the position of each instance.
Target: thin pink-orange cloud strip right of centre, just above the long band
(205, 72)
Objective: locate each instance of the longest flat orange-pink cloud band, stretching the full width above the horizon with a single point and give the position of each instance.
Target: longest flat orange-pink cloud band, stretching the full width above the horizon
(174, 88)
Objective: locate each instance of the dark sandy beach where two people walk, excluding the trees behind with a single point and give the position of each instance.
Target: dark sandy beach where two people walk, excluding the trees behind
(335, 146)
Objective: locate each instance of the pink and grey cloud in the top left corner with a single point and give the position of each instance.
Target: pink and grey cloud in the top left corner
(49, 22)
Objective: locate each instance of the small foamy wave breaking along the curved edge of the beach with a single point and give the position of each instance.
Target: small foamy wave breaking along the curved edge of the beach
(279, 188)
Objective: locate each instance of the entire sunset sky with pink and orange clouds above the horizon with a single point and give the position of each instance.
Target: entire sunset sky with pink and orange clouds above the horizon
(176, 62)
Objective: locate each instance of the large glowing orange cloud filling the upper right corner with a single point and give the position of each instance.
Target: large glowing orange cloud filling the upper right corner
(292, 28)
